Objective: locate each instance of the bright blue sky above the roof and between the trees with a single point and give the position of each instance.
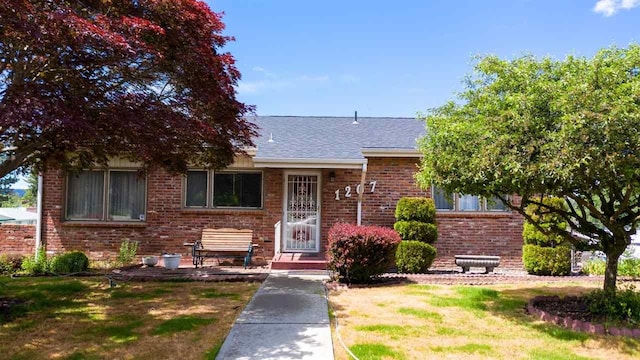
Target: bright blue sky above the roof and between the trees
(397, 58)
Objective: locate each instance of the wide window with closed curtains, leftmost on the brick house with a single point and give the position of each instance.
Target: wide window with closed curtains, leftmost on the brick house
(106, 195)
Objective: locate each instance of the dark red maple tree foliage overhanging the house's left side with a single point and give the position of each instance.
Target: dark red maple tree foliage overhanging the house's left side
(146, 80)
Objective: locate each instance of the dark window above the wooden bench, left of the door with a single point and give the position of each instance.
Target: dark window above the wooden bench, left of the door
(223, 189)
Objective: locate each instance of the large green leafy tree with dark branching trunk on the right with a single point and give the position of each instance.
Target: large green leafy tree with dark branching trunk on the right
(543, 127)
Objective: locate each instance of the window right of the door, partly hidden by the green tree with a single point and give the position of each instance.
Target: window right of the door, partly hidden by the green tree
(459, 202)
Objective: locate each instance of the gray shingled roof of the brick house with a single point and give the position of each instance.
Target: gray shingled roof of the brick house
(302, 137)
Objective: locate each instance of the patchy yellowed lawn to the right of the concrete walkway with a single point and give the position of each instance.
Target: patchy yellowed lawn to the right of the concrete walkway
(463, 322)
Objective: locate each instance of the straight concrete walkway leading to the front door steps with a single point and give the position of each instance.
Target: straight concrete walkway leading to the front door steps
(287, 318)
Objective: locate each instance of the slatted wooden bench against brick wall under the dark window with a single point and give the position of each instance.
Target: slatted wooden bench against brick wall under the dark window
(223, 243)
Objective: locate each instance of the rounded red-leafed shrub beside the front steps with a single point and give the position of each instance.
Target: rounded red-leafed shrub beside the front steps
(358, 253)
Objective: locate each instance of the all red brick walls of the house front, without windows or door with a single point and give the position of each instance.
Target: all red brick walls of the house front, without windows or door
(168, 225)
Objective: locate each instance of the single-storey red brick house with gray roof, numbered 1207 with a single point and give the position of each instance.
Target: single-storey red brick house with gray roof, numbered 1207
(305, 174)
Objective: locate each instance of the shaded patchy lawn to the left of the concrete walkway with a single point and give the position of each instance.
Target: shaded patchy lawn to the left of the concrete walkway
(84, 318)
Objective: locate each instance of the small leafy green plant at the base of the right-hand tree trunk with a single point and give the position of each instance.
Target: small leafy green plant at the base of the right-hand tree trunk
(623, 305)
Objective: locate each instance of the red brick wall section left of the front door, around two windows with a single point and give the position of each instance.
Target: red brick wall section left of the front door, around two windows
(167, 225)
